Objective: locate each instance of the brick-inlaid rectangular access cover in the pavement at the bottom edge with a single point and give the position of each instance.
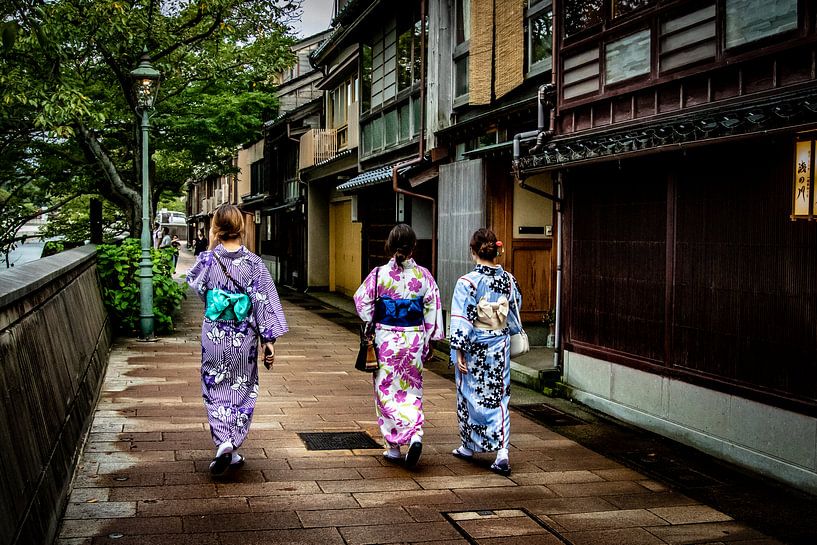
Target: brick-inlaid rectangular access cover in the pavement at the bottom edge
(488, 527)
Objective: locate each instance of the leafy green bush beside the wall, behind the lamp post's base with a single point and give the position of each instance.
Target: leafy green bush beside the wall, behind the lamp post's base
(119, 272)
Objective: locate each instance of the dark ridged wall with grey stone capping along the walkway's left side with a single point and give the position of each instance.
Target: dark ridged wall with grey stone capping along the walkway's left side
(54, 340)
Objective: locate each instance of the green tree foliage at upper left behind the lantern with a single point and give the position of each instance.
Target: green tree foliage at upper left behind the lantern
(67, 112)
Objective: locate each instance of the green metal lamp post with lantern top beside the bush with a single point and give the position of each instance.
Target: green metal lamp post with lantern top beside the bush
(146, 87)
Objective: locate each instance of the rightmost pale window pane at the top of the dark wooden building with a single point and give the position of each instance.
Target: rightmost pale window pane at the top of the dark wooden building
(751, 20)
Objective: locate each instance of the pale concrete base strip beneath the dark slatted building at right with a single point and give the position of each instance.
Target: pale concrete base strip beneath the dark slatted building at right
(774, 442)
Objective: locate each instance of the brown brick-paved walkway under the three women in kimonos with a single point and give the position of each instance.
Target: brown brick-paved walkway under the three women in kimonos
(143, 477)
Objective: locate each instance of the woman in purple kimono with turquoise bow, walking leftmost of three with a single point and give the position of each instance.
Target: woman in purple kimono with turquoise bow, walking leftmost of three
(242, 306)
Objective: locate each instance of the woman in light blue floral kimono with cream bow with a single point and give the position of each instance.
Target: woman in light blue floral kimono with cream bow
(482, 320)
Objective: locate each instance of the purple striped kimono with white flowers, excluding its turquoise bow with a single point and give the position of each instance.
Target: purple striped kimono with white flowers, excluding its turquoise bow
(229, 349)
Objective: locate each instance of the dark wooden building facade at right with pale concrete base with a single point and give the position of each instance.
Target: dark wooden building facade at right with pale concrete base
(690, 300)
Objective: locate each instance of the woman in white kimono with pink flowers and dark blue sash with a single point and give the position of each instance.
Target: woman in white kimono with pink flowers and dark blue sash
(403, 301)
